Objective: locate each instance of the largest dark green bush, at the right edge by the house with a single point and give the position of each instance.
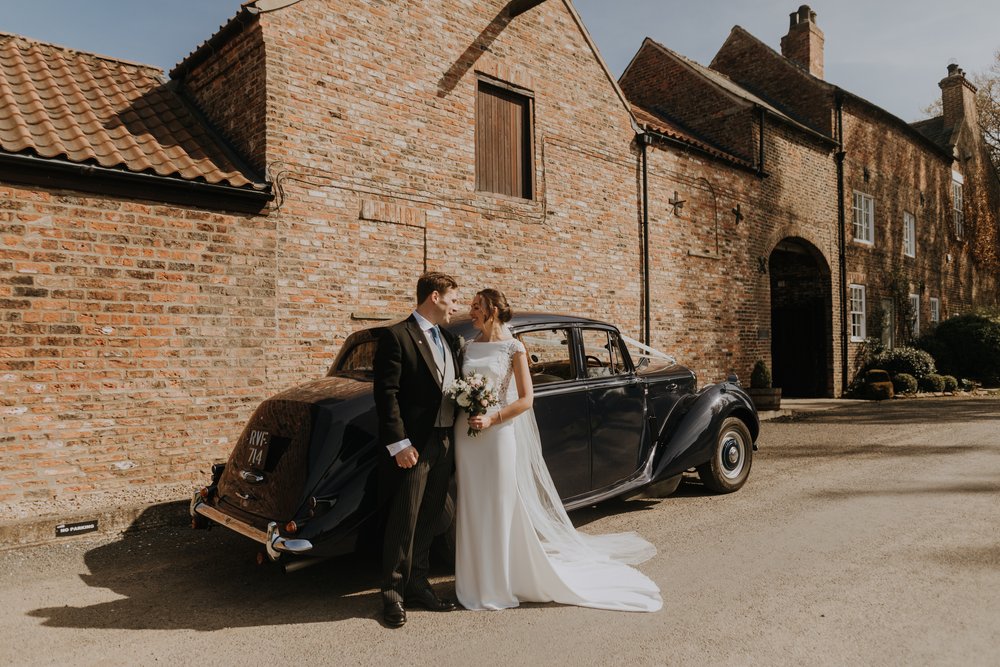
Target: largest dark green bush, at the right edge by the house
(968, 346)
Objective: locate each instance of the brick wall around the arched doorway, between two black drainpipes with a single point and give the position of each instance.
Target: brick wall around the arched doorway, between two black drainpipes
(711, 288)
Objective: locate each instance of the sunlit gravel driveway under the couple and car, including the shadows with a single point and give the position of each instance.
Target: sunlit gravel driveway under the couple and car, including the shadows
(866, 535)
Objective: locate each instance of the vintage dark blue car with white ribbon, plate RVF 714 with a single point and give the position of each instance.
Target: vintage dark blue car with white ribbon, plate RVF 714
(614, 417)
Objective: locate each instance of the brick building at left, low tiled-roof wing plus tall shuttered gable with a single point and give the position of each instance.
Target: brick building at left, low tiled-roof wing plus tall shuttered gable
(139, 334)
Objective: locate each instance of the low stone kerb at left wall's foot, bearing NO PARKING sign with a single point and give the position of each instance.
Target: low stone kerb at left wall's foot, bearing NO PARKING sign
(111, 521)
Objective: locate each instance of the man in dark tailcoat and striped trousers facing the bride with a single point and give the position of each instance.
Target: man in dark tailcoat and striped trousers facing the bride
(415, 362)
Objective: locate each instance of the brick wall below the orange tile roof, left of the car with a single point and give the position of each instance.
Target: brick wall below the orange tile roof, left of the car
(130, 340)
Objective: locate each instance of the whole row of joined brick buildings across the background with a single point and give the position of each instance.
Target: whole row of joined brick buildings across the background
(173, 251)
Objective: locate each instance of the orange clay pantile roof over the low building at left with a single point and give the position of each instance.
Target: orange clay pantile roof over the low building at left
(84, 108)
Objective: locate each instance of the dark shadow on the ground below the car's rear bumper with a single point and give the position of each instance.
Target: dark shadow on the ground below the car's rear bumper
(178, 578)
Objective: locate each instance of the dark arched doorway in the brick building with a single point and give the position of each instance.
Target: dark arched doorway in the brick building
(801, 320)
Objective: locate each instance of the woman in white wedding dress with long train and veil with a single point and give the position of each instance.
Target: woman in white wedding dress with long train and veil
(515, 541)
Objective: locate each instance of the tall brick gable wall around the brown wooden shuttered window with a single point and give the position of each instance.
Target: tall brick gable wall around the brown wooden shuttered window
(372, 135)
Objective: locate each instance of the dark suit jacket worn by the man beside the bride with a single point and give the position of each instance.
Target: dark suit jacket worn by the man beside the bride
(407, 390)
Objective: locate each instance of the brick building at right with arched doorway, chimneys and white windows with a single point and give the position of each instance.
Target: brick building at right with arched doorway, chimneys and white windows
(863, 224)
